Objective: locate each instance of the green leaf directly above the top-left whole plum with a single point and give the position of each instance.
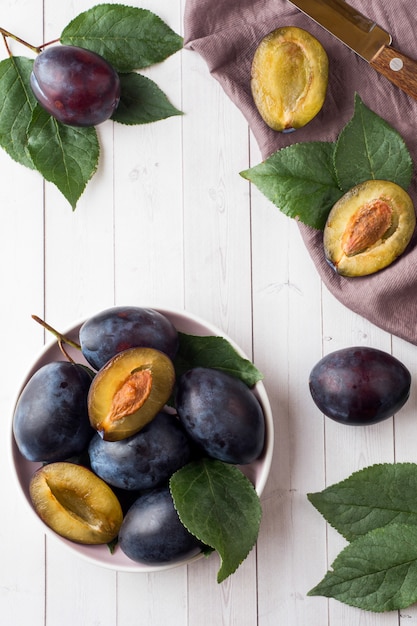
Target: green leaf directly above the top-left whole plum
(129, 38)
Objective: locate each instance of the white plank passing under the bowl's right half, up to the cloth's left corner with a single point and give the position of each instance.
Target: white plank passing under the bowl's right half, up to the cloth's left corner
(217, 279)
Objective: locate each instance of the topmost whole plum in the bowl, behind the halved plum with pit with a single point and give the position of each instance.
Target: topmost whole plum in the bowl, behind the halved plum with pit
(116, 329)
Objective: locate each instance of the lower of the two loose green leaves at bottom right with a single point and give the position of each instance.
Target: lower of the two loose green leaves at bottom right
(377, 572)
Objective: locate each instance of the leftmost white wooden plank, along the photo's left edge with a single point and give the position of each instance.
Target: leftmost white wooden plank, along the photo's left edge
(22, 580)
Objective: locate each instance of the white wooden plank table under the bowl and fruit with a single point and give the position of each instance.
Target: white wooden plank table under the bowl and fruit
(167, 221)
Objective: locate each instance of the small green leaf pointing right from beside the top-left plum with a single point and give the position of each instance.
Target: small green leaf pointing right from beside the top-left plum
(142, 101)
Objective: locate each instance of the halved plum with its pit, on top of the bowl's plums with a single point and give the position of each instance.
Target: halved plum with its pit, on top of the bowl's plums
(129, 391)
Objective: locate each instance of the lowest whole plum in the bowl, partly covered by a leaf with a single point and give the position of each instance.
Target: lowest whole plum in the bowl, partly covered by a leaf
(152, 532)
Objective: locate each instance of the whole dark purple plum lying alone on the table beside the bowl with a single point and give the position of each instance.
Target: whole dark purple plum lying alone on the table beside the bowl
(359, 385)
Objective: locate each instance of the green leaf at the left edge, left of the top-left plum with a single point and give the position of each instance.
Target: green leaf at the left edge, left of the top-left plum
(16, 105)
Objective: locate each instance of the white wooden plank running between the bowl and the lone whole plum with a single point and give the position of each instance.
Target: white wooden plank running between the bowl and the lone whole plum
(287, 337)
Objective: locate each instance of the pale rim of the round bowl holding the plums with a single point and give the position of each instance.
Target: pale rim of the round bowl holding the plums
(88, 552)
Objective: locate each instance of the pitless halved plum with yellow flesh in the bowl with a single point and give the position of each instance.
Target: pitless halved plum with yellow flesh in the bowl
(75, 503)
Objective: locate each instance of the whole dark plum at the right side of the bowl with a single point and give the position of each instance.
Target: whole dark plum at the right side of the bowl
(221, 414)
